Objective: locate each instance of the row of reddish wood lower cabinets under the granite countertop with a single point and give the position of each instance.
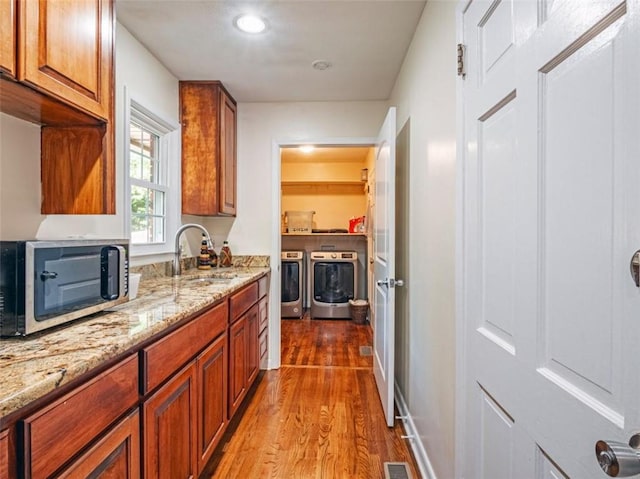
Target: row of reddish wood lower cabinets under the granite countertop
(160, 412)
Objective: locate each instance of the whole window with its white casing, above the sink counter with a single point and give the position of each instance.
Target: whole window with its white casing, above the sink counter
(151, 186)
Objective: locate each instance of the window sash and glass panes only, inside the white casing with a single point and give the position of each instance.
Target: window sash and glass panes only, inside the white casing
(147, 188)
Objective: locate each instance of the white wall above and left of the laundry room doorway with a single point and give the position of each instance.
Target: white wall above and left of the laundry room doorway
(262, 124)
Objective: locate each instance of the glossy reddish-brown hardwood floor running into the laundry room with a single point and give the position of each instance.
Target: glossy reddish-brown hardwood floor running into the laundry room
(318, 416)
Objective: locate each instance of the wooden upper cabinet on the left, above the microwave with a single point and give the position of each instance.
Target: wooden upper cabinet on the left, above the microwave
(57, 70)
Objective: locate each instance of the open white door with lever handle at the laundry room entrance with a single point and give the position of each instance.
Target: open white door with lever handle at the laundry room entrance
(384, 264)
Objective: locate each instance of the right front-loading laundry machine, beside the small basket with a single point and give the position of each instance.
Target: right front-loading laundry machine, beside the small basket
(334, 281)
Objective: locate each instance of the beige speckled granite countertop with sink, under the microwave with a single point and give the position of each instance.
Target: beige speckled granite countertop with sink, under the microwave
(33, 366)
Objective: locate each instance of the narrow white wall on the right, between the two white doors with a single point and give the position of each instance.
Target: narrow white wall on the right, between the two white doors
(425, 94)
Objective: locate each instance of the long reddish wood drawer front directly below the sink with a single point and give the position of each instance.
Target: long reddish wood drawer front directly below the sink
(170, 353)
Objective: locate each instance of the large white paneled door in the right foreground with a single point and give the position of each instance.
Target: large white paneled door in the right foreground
(550, 220)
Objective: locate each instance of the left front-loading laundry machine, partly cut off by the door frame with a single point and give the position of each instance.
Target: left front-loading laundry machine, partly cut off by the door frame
(292, 284)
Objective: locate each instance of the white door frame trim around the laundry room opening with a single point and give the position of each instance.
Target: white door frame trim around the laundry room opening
(276, 243)
